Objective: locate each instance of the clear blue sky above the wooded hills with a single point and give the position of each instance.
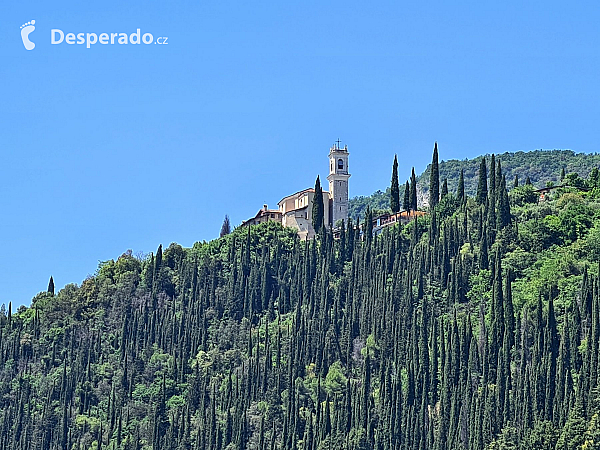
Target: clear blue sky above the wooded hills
(122, 147)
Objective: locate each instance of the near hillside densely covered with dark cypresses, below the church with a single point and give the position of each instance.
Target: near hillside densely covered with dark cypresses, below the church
(475, 327)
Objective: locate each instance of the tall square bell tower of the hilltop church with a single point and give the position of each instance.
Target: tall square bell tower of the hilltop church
(338, 183)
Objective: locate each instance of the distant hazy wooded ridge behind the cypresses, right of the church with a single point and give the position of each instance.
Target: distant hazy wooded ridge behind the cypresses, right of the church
(541, 166)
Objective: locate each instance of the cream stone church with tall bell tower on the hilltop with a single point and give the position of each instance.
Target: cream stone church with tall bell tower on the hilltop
(295, 211)
